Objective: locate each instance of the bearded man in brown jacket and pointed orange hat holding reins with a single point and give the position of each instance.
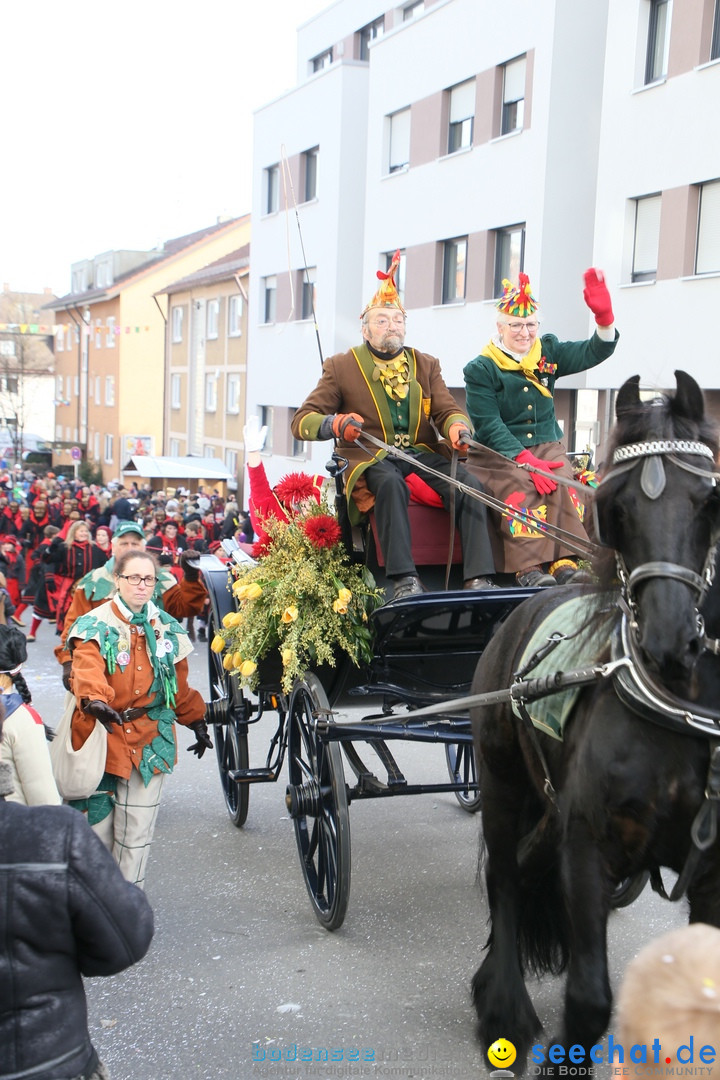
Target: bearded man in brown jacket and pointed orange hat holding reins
(397, 395)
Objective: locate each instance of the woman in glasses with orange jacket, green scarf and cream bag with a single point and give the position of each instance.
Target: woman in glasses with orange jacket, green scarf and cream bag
(130, 672)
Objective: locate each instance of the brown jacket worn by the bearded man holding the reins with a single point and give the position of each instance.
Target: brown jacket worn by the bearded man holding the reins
(347, 386)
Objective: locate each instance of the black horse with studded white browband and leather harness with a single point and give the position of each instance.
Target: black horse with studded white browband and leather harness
(623, 792)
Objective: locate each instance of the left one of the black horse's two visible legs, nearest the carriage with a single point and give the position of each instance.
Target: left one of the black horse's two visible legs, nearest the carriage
(500, 996)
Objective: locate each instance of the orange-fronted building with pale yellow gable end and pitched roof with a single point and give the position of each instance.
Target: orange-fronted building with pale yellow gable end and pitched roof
(111, 346)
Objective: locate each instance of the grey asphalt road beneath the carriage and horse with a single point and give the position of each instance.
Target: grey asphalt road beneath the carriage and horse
(239, 961)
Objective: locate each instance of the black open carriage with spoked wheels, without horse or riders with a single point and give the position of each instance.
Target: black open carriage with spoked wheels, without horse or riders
(426, 653)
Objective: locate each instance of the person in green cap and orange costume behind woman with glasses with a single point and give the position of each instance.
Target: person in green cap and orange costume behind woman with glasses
(181, 600)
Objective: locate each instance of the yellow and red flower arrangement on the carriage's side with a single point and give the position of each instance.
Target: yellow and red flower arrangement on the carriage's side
(304, 599)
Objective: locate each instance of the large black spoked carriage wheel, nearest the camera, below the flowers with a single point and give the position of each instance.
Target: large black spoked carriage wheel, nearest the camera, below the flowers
(318, 803)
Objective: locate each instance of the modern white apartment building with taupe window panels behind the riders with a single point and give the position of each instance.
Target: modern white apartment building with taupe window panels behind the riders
(481, 140)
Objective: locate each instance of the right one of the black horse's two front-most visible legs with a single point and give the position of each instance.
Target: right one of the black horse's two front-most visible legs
(588, 994)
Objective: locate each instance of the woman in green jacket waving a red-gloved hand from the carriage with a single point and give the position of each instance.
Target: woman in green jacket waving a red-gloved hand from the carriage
(510, 402)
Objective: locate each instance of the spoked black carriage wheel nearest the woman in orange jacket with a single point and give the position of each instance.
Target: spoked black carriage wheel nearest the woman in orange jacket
(230, 736)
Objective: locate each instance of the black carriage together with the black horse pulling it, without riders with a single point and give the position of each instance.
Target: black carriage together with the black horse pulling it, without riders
(567, 820)
